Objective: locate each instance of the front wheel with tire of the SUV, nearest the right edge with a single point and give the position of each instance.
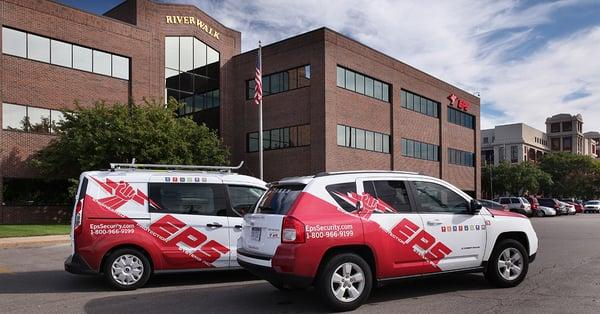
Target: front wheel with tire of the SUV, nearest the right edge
(508, 264)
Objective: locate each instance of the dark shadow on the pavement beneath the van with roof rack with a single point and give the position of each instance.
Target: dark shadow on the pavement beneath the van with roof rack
(60, 281)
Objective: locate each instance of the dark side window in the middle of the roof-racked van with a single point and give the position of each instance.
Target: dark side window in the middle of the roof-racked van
(187, 198)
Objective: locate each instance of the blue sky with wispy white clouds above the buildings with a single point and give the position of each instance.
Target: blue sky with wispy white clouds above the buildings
(527, 60)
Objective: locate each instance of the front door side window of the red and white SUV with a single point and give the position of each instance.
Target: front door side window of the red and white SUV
(437, 198)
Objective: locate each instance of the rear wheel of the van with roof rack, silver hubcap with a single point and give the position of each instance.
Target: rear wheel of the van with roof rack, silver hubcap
(127, 269)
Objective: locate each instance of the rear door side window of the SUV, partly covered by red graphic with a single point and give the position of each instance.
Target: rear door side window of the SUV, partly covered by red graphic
(393, 193)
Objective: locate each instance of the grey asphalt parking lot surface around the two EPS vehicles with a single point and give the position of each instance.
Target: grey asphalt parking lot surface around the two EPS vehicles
(564, 278)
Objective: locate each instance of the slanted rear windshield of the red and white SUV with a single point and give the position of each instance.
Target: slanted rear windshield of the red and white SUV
(279, 199)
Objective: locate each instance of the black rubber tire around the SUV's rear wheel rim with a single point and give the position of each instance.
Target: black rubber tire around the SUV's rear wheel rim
(324, 283)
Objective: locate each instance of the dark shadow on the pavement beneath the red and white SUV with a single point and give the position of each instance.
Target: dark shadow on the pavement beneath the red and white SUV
(262, 297)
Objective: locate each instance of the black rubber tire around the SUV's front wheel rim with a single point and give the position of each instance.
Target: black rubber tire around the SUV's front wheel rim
(492, 272)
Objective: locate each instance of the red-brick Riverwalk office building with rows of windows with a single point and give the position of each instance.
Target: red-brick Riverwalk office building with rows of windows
(330, 102)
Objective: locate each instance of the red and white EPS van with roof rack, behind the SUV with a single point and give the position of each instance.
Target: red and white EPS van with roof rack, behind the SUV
(130, 224)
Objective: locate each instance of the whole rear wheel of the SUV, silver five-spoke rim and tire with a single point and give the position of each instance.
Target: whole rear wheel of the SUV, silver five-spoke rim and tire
(345, 282)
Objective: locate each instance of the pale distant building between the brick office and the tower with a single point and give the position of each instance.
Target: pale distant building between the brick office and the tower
(514, 143)
